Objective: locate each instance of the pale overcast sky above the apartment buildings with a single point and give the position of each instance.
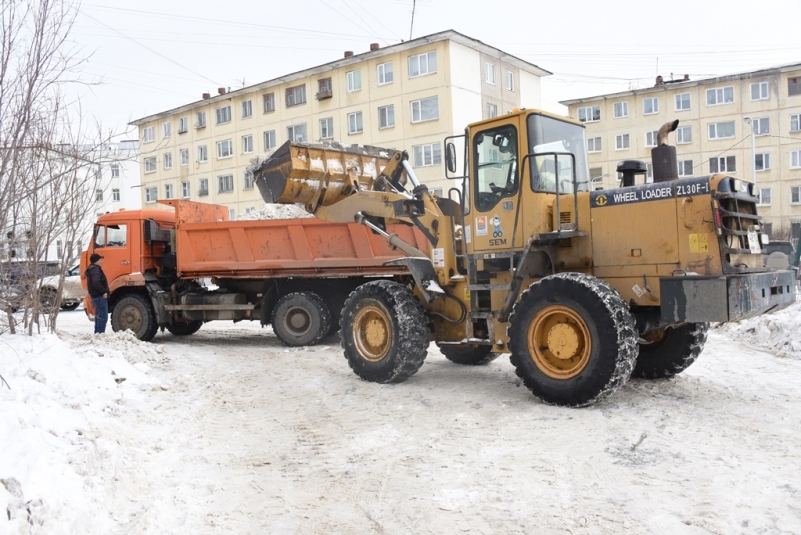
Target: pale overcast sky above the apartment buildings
(150, 56)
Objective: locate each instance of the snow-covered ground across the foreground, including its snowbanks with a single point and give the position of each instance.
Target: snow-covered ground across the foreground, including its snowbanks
(227, 431)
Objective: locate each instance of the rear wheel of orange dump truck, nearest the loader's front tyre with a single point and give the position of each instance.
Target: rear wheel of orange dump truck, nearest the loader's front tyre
(301, 319)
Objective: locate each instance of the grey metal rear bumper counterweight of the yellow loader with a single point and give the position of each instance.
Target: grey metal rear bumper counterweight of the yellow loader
(725, 298)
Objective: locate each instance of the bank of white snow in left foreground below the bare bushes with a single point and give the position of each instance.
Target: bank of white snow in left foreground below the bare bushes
(57, 456)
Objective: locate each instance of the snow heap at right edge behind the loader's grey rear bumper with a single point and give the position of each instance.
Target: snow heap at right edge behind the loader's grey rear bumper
(776, 333)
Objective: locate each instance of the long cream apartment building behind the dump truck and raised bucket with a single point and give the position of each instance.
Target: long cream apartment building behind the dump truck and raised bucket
(406, 96)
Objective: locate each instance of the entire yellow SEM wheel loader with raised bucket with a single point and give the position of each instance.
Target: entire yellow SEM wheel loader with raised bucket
(583, 288)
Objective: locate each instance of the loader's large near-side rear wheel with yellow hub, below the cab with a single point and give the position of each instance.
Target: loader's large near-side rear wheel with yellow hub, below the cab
(573, 339)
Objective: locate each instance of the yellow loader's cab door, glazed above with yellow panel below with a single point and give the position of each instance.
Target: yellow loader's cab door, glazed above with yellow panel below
(495, 161)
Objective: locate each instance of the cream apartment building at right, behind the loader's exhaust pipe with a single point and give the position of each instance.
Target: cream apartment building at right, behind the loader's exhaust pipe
(717, 117)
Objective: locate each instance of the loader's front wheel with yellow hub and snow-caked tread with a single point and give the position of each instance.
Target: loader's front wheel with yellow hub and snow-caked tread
(384, 332)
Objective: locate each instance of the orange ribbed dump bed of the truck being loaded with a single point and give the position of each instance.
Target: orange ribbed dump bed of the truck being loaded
(207, 245)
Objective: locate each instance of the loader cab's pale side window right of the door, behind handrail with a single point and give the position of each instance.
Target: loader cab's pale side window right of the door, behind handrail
(547, 136)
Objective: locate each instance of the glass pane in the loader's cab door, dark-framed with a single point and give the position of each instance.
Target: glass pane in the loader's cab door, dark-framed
(495, 161)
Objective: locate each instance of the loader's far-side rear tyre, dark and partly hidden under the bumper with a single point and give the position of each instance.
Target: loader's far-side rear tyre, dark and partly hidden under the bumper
(670, 351)
